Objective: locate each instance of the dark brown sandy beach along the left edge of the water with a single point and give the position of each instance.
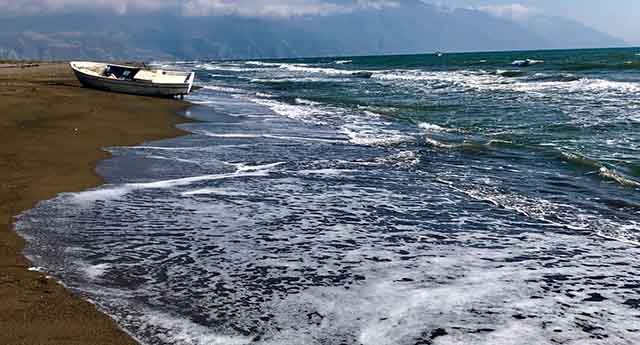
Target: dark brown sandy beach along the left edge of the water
(51, 135)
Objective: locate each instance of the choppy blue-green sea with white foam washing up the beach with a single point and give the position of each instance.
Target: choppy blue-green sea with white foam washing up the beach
(476, 198)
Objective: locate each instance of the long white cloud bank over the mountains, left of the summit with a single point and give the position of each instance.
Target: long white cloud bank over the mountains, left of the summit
(260, 8)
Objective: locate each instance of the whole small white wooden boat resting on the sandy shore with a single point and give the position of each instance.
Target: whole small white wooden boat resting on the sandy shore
(133, 80)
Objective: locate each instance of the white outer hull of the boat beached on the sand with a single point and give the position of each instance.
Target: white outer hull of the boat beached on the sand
(136, 87)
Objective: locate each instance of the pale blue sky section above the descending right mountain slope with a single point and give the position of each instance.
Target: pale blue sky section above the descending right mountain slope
(620, 18)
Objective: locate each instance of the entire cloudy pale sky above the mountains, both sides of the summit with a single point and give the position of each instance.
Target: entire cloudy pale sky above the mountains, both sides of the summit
(620, 18)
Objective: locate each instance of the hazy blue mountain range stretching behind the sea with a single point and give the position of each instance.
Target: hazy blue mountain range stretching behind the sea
(412, 27)
